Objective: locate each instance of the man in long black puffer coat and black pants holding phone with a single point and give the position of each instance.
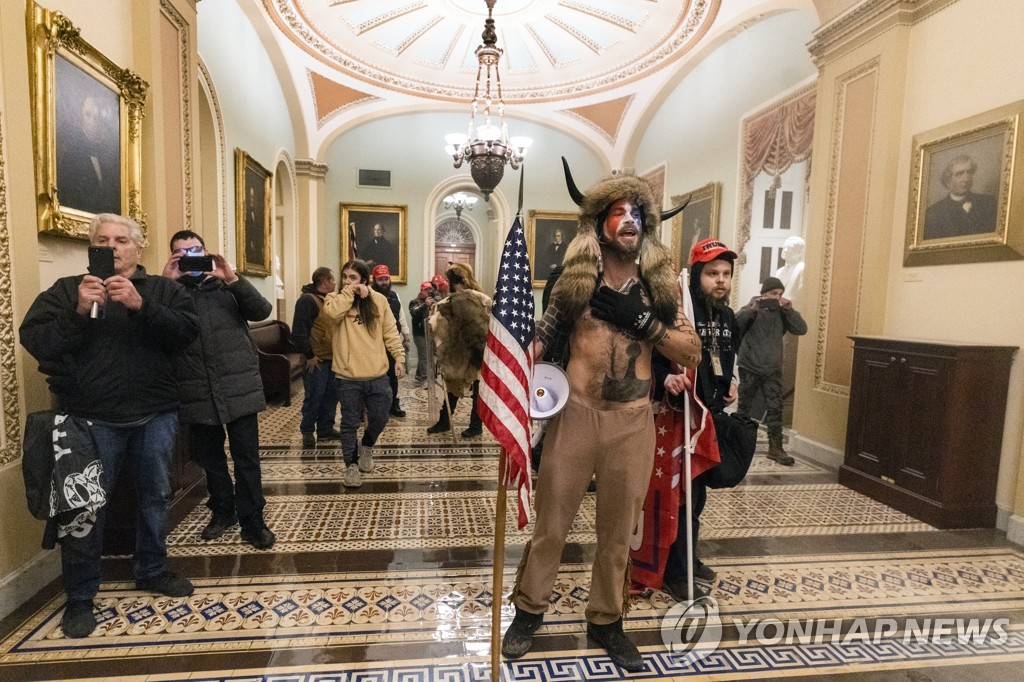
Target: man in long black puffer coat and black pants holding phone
(221, 388)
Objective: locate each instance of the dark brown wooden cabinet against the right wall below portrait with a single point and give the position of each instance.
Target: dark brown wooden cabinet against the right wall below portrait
(925, 429)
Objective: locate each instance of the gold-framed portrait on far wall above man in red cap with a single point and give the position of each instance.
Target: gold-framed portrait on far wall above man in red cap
(389, 246)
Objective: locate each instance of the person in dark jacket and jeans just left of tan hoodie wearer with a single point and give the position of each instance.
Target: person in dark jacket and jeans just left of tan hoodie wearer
(313, 337)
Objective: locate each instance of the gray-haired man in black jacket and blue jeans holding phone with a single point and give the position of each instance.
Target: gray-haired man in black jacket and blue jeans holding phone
(116, 370)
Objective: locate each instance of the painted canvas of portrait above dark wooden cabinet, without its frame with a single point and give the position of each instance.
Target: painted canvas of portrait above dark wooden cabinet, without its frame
(962, 189)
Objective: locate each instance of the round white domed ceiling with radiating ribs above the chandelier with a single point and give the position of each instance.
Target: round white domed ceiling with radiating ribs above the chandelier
(553, 50)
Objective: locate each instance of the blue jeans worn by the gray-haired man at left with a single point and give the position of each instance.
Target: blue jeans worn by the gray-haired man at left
(150, 447)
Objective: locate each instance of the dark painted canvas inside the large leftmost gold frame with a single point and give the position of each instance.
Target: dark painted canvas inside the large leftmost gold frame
(89, 142)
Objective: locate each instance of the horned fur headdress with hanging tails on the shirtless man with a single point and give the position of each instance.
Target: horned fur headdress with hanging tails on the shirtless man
(583, 258)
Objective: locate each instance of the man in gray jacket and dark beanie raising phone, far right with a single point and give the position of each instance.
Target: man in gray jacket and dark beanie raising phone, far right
(763, 323)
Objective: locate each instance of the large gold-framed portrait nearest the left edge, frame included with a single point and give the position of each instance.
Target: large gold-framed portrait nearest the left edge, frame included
(87, 127)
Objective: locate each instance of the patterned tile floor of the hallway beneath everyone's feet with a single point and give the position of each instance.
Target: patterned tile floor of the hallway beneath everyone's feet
(393, 582)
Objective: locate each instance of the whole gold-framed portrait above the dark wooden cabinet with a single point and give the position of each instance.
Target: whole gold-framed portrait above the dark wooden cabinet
(967, 192)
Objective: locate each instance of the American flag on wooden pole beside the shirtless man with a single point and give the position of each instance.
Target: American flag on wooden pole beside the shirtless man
(508, 366)
